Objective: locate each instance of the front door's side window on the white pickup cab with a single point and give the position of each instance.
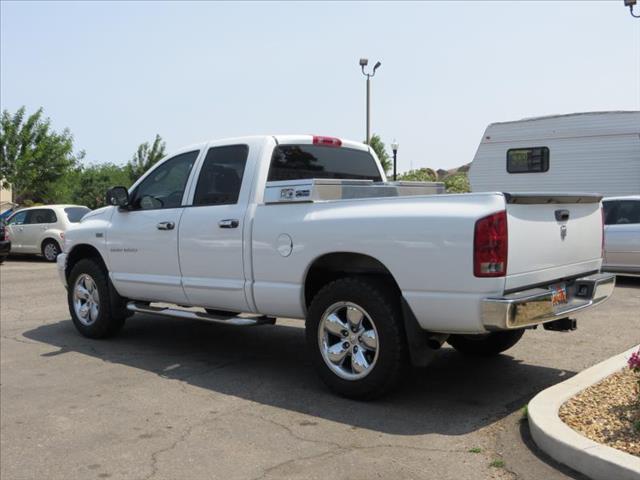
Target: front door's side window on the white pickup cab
(164, 187)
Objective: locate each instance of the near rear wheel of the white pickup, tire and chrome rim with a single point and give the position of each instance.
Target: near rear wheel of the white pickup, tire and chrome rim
(355, 333)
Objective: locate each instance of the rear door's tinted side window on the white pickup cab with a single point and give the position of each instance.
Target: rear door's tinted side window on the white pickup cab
(221, 175)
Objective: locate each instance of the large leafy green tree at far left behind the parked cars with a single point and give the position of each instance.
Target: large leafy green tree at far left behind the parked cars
(33, 157)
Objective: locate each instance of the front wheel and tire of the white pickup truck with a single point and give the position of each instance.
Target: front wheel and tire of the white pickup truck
(96, 308)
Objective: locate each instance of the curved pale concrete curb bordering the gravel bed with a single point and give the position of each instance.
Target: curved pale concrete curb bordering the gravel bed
(567, 446)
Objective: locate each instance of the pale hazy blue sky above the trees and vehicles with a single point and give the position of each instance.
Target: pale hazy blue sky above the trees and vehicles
(118, 73)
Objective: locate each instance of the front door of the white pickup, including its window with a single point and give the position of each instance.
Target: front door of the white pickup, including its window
(142, 242)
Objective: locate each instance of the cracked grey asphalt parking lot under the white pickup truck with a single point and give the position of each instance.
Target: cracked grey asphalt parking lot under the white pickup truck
(178, 399)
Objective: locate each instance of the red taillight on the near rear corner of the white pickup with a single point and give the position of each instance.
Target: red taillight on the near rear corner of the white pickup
(490, 245)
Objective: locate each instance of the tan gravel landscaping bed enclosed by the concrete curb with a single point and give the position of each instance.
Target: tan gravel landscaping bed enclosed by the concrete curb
(608, 412)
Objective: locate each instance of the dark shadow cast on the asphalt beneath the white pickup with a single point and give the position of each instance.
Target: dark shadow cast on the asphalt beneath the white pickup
(269, 365)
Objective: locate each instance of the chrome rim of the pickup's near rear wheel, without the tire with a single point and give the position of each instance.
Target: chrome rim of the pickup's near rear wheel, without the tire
(348, 340)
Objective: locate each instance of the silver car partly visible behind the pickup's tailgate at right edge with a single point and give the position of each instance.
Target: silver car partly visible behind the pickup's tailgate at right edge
(622, 235)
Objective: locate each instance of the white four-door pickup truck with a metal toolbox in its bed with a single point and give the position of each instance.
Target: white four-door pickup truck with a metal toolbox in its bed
(244, 230)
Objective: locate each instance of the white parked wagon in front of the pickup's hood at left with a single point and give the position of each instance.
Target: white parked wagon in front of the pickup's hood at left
(41, 230)
